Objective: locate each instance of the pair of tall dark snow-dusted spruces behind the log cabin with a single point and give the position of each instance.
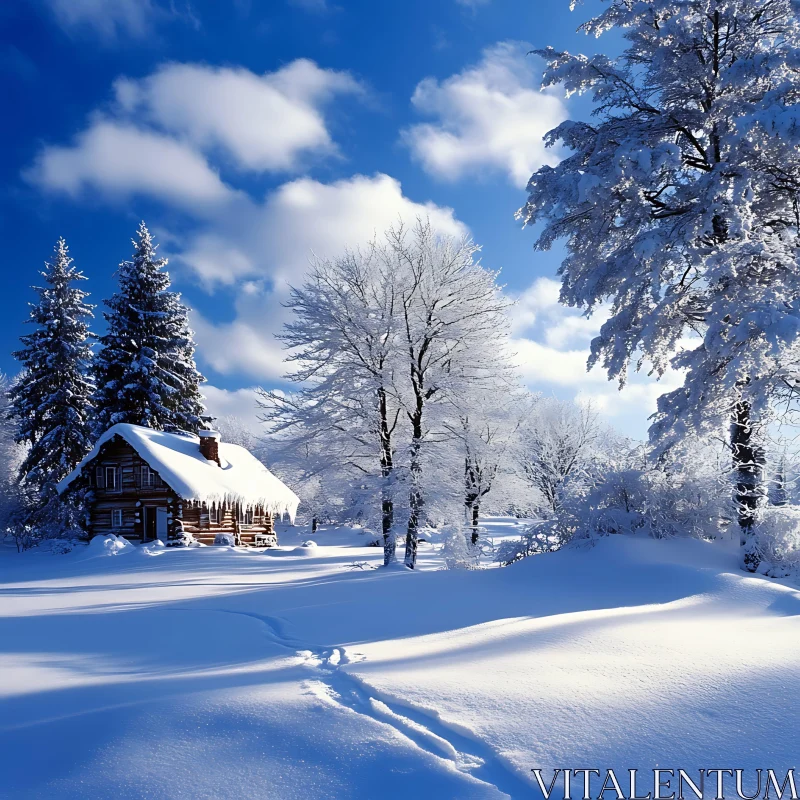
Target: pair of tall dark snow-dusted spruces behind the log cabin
(67, 395)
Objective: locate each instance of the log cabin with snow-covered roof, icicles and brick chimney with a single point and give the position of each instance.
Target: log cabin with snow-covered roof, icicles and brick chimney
(145, 484)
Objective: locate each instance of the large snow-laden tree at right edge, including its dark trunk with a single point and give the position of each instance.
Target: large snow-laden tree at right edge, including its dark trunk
(679, 205)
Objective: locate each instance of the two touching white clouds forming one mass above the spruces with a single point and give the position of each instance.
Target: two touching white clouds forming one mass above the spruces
(158, 135)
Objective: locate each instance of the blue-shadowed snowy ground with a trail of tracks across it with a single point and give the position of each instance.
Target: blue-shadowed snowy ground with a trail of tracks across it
(213, 672)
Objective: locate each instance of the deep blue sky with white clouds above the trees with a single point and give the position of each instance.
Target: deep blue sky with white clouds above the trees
(248, 133)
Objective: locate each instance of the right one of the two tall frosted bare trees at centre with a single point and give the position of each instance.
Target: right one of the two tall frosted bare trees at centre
(454, 332)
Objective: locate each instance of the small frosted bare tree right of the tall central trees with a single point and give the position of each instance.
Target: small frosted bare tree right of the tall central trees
(555, 446)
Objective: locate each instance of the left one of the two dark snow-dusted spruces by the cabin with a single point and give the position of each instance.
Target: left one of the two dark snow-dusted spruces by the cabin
(51, 400)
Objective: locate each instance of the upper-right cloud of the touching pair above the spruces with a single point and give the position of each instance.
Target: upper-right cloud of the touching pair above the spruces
(262, 122)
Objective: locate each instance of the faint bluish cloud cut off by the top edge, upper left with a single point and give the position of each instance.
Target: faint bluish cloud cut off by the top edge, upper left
(106, 18)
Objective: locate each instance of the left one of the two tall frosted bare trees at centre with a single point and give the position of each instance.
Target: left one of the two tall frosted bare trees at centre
(342, 421)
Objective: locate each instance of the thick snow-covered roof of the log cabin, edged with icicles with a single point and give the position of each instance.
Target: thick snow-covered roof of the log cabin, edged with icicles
(239, 478)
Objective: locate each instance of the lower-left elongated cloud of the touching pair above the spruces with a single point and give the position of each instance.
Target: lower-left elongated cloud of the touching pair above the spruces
(118, 160)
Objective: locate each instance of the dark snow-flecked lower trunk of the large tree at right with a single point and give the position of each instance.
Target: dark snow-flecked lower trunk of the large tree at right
(747, 474)
